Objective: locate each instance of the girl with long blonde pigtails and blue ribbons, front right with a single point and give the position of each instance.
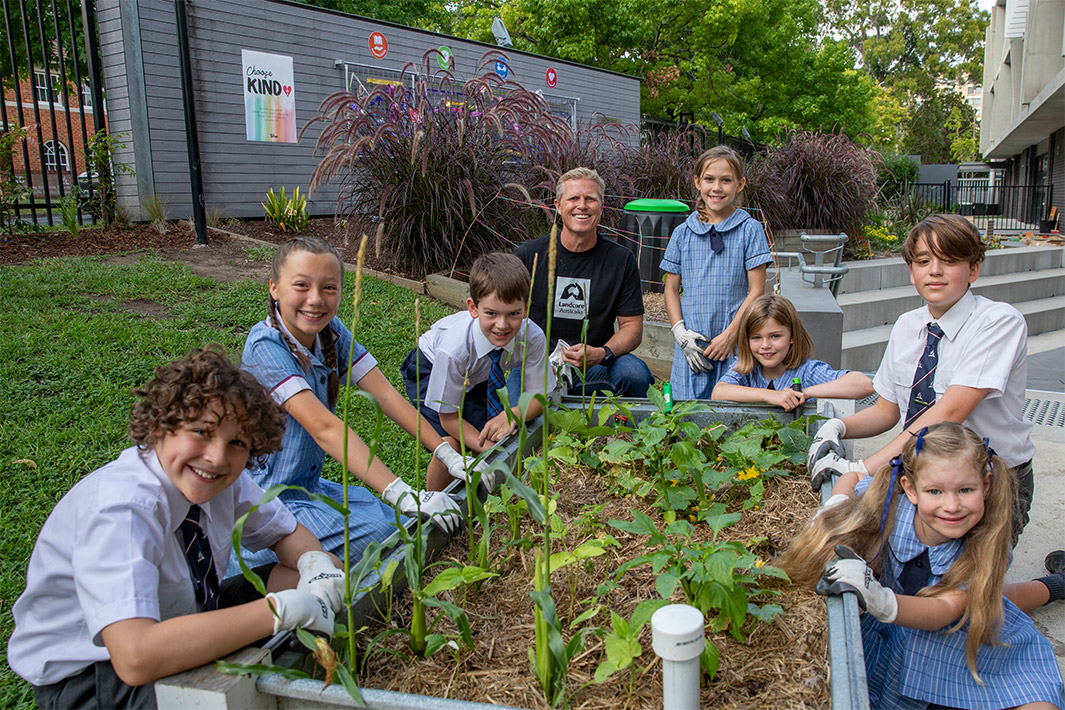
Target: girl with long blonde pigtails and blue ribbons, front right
(939, 628)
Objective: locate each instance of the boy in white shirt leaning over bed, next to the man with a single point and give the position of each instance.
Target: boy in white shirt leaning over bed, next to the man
(462, 362)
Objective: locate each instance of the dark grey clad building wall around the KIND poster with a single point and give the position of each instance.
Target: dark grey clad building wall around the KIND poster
(141, 60)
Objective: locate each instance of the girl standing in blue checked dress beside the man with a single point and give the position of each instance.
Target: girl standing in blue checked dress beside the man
(715, 268)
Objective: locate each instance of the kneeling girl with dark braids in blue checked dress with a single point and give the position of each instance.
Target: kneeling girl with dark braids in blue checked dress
(300, 354)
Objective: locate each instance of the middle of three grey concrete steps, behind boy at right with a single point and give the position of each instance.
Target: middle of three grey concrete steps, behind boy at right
(870, 309)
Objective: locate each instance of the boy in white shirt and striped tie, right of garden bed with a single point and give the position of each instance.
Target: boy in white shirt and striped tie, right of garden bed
(959, 358)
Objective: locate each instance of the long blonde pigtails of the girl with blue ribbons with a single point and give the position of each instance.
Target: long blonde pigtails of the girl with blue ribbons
(980, 570)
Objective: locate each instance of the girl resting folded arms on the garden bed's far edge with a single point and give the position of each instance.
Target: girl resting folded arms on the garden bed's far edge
(773, 351)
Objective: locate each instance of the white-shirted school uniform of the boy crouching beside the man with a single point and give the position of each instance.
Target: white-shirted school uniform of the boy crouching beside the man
(452, 365)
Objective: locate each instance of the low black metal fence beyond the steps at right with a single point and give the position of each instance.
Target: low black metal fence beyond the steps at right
(1004, 208)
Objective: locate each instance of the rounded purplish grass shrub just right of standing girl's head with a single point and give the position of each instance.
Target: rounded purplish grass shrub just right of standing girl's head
(815, 181)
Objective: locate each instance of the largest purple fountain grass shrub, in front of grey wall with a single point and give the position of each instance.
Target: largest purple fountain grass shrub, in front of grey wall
(444, 166)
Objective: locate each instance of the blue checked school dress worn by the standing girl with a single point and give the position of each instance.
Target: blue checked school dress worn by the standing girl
(713, 287)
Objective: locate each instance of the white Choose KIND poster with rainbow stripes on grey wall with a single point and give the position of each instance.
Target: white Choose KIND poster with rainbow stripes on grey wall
(270, 97)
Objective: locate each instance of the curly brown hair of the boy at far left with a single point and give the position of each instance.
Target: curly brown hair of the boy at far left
(181, 392)
